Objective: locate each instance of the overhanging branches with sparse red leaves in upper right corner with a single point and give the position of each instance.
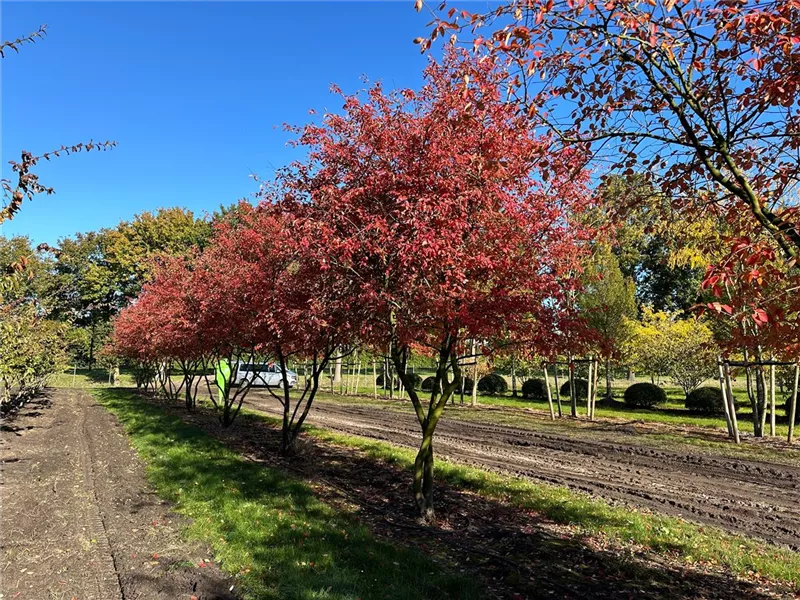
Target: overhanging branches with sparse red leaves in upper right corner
(702, 94)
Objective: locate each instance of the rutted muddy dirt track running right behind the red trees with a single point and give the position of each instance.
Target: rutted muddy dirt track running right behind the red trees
(759, 499)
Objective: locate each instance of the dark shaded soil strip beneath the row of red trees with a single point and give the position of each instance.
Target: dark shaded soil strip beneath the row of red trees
(516, 553)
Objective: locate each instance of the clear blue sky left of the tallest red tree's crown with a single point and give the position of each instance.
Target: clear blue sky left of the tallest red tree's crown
(194, 93)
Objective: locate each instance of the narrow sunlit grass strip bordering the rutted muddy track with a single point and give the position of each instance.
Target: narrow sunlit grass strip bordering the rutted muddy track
(676, 537)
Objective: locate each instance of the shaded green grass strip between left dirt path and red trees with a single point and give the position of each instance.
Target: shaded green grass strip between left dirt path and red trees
(268, 528)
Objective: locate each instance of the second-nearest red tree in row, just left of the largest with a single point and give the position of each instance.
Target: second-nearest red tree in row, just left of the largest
(267, 295)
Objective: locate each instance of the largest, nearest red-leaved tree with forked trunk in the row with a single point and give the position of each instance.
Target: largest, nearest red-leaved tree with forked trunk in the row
(447, 219)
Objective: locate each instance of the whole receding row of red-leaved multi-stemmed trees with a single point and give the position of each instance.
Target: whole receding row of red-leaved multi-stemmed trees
(420, 220)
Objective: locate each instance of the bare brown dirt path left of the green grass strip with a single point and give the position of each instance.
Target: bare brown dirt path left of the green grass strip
(77, 518)
